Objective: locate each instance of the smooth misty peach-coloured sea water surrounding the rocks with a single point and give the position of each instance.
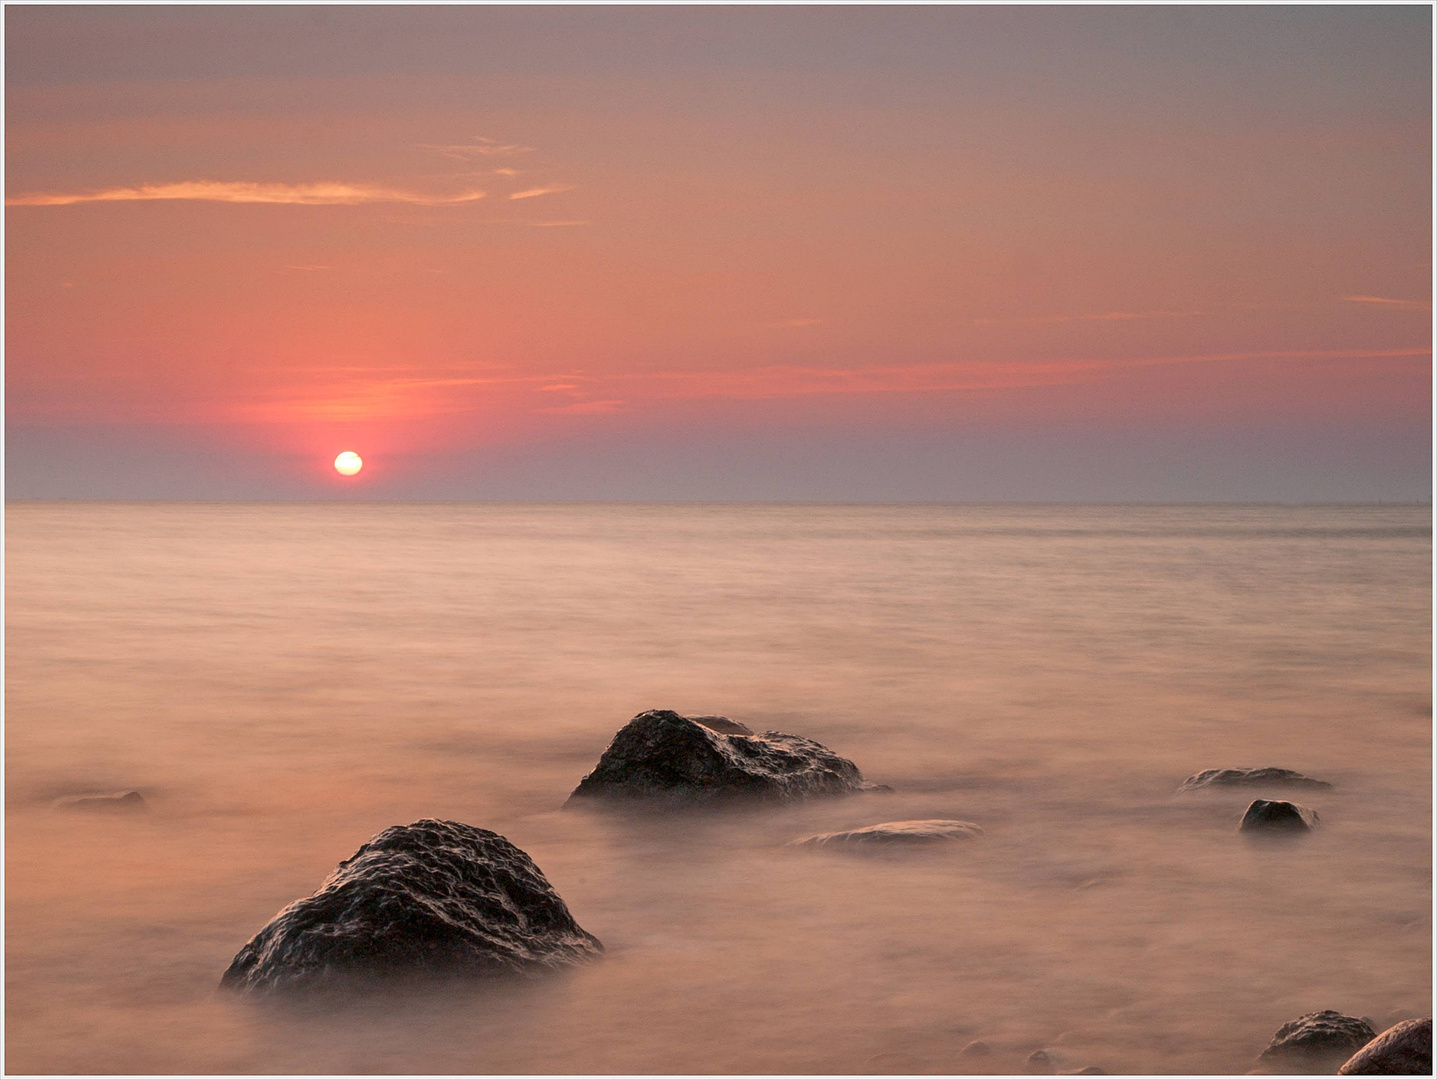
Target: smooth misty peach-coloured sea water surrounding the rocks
(284, 681)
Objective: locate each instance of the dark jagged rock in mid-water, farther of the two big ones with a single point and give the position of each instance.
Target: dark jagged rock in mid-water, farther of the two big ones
(660, 753)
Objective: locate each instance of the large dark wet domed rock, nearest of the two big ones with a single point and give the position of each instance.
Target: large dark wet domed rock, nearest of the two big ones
(432, 898)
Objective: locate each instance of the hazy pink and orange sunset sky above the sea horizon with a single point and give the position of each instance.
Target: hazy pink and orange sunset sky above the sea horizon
(719, 253)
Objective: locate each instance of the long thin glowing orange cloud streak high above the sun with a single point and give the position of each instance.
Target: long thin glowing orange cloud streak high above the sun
(323, 195)
